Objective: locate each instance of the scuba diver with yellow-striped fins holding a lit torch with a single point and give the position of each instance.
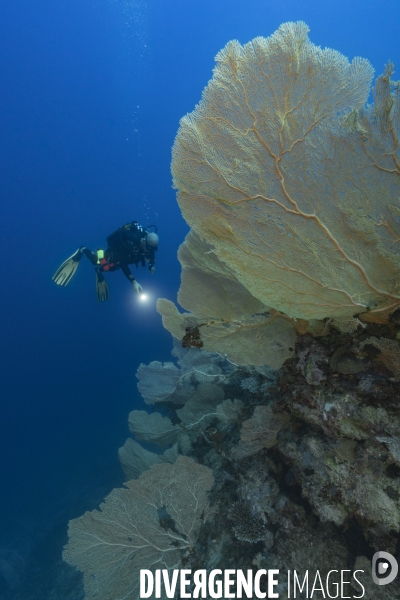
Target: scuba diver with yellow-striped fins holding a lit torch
(130, 244)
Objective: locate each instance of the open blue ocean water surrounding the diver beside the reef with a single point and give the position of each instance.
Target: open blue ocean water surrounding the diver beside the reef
(91, 97)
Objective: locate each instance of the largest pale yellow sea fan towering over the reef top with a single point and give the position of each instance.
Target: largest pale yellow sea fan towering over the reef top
(292, 180)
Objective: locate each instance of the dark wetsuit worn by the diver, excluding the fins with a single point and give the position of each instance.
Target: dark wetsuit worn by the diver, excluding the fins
(126, 246)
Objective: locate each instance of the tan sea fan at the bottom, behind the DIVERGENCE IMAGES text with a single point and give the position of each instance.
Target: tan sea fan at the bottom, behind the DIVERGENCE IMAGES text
(112, 544)
